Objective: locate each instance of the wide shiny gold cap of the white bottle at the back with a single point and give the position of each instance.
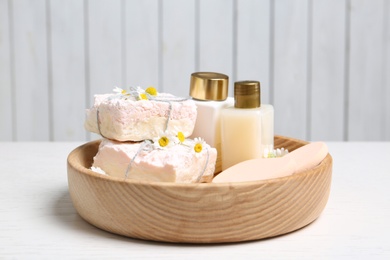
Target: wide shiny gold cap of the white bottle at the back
(209, 86)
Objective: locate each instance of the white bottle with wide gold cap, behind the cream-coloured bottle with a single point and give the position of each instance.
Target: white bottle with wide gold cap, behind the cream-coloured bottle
(209, 90)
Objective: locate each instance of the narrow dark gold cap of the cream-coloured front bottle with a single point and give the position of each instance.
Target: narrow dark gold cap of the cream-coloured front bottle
(247, 94)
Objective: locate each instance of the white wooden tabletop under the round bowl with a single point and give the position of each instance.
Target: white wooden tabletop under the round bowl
(38, 221)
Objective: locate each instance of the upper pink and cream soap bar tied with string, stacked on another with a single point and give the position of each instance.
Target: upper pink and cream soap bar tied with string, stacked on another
(127, 119)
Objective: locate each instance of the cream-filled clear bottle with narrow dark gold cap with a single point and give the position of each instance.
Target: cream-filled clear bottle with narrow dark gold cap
(247, 128)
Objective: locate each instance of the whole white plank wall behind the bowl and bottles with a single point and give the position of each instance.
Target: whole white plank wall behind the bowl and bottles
(323, 64)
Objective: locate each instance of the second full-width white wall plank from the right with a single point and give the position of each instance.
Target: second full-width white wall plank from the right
(327, 67)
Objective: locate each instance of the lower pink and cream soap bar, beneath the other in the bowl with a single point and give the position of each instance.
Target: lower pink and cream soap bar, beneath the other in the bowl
(174, 164)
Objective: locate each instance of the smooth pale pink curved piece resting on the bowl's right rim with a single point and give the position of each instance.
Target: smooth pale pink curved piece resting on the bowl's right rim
(301, 159)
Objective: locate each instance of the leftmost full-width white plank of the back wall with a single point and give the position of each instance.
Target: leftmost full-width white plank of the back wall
(31, 71)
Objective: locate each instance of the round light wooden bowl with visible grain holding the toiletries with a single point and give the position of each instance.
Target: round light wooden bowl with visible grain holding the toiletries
(198, 213)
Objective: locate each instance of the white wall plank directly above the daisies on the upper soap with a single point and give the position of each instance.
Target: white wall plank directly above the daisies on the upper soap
(142, 43)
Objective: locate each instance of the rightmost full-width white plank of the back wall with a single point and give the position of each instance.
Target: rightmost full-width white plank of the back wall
(366, 88)
